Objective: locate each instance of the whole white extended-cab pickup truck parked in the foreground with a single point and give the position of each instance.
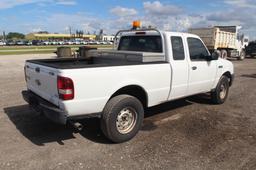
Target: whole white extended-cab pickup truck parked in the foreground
(148, 67)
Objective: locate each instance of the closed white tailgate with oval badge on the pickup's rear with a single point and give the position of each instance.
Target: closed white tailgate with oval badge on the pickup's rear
(42, 81)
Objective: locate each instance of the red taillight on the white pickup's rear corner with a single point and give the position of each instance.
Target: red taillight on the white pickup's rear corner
(65, 88)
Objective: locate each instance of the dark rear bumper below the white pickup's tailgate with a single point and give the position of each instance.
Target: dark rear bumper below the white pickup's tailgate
(39, 104)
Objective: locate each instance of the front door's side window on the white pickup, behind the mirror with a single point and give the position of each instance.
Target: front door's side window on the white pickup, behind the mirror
(197, 50)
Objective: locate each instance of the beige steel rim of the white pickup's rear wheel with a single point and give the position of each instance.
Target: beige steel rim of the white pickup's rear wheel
(126, 120)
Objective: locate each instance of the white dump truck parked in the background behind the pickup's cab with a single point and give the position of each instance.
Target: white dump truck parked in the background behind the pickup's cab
(223, 39)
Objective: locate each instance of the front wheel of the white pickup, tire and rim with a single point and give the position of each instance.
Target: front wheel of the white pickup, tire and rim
(220, 94)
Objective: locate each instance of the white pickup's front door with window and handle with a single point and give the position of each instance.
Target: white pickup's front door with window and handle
(202, 72)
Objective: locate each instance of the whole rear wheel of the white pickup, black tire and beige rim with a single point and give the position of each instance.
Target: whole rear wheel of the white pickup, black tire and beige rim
(122, 118)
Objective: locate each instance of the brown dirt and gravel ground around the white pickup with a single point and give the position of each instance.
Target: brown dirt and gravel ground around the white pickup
(185, 134)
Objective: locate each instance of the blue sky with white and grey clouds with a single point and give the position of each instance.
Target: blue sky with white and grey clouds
(111, 15)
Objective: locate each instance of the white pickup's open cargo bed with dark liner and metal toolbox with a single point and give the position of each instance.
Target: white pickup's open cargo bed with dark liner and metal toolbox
(102, 59)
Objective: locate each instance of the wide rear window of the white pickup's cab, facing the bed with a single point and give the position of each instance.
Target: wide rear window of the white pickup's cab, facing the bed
(141, 43)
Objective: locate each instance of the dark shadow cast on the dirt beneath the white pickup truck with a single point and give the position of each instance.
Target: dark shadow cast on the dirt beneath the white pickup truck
(41, 131)
